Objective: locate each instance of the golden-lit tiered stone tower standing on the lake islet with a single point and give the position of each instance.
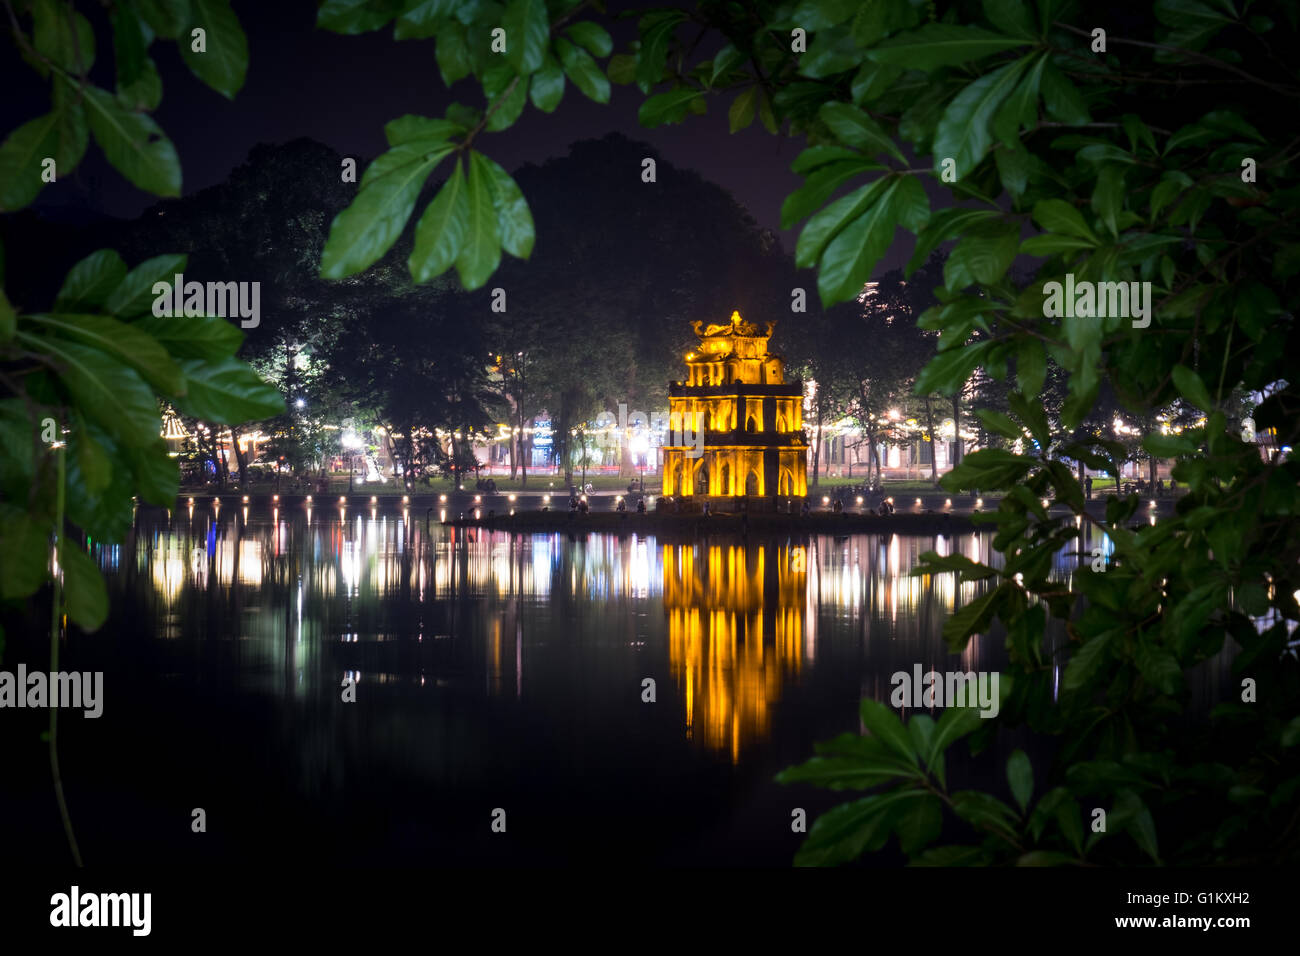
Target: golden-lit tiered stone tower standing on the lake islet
(751, 418)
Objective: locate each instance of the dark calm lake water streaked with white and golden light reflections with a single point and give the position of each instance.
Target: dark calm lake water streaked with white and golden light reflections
(492, 672)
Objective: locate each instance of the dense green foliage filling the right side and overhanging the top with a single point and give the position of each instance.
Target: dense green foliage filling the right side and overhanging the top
(1121, 161)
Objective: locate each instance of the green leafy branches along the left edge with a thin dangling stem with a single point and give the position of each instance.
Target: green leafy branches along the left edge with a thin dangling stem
(85, 380)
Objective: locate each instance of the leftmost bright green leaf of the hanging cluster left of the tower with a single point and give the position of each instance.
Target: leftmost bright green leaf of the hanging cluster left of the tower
(369, 228)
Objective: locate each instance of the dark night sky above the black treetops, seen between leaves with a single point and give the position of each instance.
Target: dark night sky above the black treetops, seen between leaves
(341, 90)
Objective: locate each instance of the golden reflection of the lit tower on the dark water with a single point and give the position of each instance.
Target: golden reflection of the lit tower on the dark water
(735, 634)
